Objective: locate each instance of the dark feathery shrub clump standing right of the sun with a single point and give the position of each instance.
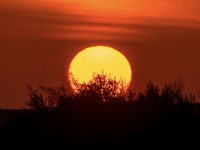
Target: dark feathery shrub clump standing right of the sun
(169, 94)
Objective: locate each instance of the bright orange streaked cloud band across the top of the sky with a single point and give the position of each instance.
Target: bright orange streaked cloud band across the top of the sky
(72, 18)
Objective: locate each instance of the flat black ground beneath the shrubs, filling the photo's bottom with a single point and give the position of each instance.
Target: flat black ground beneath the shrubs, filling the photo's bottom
(117, 125)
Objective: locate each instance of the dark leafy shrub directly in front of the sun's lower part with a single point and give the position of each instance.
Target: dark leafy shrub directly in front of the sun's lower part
(102, 85)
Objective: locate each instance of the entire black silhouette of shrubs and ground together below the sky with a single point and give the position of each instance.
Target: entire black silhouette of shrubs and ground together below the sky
(100, 116)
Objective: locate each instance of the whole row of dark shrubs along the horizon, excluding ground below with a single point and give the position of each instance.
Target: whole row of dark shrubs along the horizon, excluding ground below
(104, 88)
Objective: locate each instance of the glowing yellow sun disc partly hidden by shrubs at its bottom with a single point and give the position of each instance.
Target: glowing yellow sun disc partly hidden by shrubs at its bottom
(97, 59)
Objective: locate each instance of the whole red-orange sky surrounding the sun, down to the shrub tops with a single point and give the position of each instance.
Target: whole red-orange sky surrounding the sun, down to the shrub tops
(161, 40)
